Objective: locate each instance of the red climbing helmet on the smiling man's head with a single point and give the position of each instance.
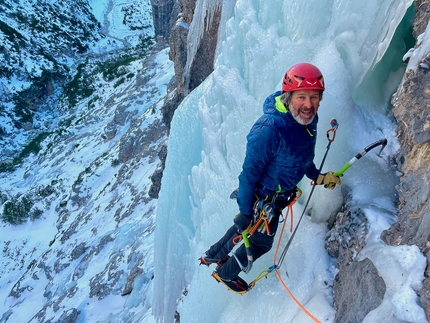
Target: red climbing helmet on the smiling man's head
(303, 76)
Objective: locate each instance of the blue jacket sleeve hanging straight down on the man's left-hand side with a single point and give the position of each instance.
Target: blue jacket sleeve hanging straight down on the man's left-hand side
(262, 145)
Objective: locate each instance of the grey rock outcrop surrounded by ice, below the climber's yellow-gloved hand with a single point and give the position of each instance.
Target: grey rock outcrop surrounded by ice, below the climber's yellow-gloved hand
(358, 286)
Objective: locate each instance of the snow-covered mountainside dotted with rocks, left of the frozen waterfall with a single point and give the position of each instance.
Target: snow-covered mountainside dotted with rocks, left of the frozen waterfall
(87, 255)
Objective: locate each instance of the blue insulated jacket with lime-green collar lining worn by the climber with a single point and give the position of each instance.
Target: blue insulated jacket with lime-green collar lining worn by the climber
(279, 152)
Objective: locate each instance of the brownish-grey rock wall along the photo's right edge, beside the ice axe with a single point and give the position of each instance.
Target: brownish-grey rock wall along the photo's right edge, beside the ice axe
(412, 111)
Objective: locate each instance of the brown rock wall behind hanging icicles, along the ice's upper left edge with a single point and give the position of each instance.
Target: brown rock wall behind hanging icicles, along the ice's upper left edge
(179, 16)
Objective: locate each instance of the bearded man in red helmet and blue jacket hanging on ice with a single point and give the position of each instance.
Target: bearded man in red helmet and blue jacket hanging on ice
(280, 151)
